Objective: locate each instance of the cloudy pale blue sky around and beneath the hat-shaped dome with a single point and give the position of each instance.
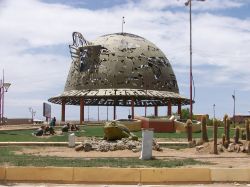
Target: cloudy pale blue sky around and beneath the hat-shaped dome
(35, 35)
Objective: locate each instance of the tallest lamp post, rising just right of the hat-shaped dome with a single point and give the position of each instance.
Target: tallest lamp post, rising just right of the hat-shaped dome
(189, 3)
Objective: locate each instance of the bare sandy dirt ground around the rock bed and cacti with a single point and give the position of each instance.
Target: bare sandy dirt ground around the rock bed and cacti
(222, 160)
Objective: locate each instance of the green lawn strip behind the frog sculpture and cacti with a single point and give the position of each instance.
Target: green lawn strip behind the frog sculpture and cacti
(91, 131)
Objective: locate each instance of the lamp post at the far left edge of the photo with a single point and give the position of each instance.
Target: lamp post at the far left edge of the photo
(4, 86)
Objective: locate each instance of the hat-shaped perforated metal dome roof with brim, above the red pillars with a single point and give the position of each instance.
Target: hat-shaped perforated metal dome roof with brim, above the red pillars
(117, 67)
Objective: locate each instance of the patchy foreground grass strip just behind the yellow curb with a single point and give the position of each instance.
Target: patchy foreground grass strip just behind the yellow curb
(8, 157)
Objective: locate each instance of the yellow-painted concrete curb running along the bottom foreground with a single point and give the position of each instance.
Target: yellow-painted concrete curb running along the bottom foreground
(123, 175)
